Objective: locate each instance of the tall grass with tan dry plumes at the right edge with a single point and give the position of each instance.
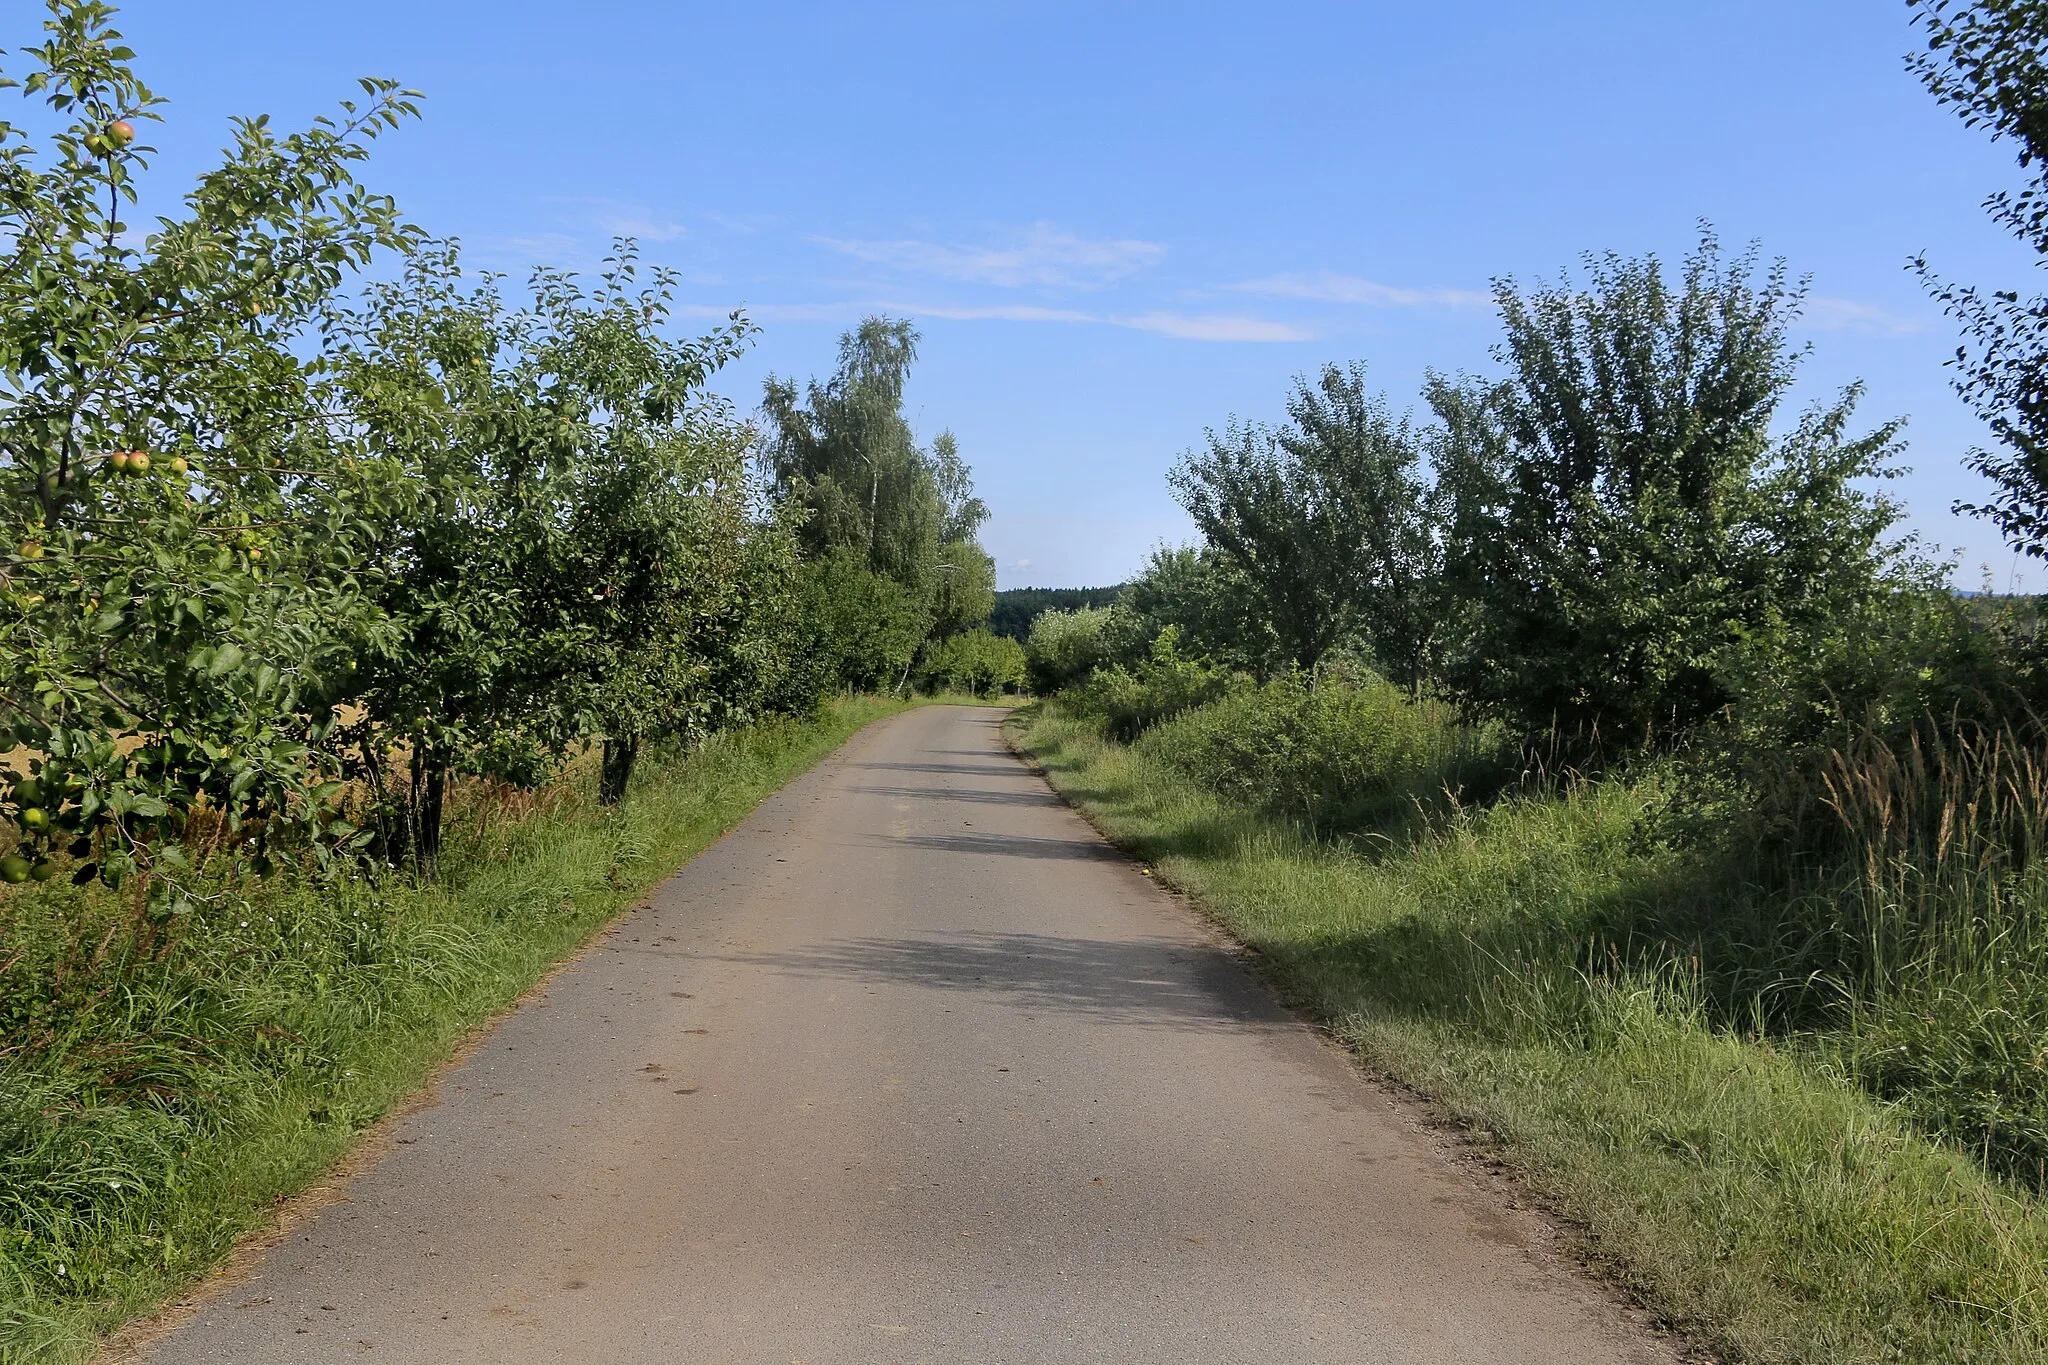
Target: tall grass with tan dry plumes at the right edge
(1945, 932)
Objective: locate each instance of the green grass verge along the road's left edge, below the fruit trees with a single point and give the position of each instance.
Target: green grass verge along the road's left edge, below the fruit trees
(159, 1096)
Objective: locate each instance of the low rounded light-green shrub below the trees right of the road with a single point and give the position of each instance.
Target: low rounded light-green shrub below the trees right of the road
(1340, 754)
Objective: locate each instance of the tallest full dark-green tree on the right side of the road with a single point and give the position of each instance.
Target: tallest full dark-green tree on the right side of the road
(1623, 517)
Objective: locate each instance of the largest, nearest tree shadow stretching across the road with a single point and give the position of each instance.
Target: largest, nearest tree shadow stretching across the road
(1150, 983)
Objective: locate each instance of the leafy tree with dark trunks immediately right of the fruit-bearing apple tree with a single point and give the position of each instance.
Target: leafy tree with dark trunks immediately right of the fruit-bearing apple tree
(462, 545)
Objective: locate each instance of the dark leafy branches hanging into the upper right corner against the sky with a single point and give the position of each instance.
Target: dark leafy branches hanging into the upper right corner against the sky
(1990, 60)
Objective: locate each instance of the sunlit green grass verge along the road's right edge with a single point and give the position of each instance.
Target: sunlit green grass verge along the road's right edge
(1742, 1186)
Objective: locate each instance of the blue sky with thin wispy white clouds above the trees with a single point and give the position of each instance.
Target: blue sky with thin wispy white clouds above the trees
(1121, 224)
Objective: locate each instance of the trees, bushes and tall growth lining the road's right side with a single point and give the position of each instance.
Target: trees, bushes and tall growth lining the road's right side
(1611, 572)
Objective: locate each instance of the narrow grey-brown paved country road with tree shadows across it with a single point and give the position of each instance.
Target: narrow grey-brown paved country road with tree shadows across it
(910, 1067)
